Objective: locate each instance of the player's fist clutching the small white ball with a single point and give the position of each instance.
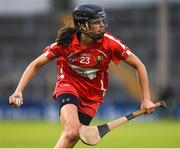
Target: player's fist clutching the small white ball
(16, 99)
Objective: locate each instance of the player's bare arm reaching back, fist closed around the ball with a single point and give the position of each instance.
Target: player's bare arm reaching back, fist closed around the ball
(28, 74)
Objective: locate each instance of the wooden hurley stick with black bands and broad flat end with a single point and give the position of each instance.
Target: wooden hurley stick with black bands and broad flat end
(91, 135)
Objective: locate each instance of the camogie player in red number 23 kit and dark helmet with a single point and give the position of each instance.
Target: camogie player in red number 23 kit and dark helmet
(83, 54)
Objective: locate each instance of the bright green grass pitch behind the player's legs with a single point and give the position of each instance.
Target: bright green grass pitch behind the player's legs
(151, 134)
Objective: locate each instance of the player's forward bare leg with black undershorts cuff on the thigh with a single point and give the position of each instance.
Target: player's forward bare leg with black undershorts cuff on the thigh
(69, 121)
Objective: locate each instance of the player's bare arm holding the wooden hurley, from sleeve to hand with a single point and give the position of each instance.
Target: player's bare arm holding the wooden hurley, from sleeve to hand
(140, 68)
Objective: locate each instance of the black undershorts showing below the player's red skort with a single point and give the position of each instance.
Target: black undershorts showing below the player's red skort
(64, 99)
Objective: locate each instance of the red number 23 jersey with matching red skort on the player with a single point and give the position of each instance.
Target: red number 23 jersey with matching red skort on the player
(84, 71)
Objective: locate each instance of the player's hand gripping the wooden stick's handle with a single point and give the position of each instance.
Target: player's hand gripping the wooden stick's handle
(148, 105)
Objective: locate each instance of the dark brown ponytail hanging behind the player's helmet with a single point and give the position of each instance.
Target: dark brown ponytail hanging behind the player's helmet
(65, 36)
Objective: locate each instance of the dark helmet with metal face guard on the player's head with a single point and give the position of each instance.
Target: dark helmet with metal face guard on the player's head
(88, 14)
